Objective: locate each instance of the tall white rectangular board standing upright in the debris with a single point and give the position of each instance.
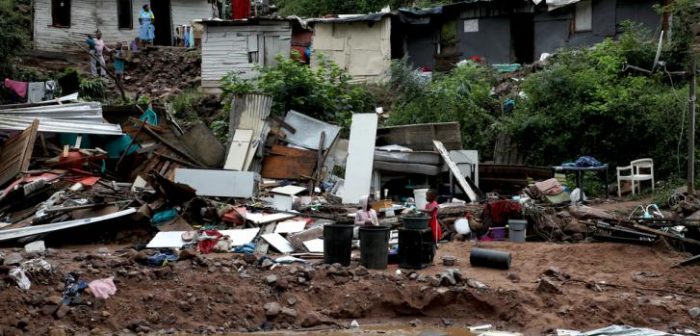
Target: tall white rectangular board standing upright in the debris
(358, 171)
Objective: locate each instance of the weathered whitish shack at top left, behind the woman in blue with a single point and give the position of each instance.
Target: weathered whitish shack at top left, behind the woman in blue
(60, 24)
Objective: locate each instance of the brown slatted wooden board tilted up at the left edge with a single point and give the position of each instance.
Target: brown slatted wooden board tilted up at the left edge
(16, 153)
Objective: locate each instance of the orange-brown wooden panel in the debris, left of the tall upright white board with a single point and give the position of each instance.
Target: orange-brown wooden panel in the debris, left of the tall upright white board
(288, 163)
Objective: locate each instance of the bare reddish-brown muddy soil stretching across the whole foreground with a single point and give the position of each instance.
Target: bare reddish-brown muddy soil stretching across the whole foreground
(584, 286)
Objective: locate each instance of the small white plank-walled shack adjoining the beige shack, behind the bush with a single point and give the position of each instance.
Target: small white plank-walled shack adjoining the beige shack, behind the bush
(239, 45)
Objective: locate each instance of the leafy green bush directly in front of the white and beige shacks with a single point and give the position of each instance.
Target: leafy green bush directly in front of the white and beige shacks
(324, 92)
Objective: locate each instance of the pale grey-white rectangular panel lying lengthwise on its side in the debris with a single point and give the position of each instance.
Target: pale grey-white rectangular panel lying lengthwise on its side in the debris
(219, 183)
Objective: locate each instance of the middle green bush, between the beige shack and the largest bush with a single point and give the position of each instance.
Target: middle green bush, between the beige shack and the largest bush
(462, 95)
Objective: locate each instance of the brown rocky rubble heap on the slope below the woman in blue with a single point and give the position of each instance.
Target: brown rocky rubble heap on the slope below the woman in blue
(160, 72)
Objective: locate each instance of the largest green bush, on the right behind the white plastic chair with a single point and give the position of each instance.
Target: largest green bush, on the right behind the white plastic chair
(583, 104)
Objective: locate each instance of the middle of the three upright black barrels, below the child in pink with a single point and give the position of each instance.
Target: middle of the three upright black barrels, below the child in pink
(374, 247)
